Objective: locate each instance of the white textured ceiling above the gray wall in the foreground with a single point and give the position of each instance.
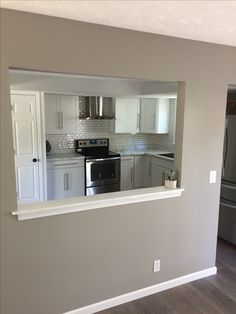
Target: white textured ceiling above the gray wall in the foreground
(210, 21)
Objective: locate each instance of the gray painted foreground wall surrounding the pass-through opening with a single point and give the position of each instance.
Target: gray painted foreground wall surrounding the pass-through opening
(60, 263)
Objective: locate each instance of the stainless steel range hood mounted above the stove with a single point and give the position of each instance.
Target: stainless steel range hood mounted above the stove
(97, 108)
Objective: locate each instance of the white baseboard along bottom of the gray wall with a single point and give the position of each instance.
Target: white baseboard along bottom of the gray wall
(124, 298)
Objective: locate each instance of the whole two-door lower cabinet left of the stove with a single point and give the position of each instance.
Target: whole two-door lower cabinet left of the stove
(65, 179)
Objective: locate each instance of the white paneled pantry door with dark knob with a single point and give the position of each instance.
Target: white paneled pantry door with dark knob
(28, 156)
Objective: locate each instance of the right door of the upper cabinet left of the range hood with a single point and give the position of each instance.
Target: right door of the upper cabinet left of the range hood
(68, 113)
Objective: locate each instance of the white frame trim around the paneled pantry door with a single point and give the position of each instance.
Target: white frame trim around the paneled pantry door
(40, 127)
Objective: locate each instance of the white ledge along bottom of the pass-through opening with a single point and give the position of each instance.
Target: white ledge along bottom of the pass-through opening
(82, 203)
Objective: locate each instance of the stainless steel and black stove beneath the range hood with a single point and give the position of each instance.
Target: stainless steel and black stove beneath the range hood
(102, 167)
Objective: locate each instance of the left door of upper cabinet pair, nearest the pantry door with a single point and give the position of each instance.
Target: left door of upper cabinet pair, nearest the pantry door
(52, 114)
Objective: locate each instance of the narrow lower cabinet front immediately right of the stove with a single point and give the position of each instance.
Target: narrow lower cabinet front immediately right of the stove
(127, 174)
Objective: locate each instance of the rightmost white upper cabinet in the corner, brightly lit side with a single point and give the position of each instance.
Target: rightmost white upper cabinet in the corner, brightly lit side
(154, 115)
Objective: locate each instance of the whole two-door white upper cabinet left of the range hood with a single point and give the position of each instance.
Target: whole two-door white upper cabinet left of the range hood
(61, 113)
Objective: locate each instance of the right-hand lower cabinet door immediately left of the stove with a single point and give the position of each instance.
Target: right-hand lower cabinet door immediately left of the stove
(75, 181)
